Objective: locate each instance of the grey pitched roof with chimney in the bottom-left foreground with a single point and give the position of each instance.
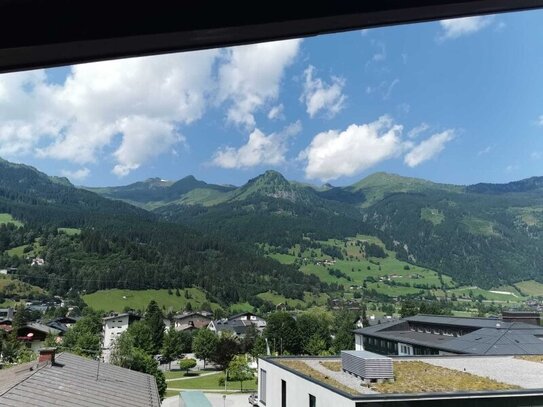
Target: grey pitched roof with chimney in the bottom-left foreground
(72, 380)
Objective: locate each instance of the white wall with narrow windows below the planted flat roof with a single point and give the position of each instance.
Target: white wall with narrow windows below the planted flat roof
(298, 389)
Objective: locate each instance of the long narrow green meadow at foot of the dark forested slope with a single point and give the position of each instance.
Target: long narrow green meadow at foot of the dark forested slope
(117, 300)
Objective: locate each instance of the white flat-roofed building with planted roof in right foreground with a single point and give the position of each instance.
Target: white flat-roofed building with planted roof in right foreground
(428, 381)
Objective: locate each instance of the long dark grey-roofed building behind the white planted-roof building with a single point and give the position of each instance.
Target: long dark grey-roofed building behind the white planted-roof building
(441, 335)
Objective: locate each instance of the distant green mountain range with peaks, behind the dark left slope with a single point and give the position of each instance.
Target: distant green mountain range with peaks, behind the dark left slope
(485, 234)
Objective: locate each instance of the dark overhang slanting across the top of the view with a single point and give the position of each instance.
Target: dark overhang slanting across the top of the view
(44, 33)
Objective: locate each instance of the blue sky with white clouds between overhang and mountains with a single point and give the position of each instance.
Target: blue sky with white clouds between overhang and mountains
(456, 101)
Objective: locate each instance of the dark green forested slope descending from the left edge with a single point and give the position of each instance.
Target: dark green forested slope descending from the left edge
(121, 246)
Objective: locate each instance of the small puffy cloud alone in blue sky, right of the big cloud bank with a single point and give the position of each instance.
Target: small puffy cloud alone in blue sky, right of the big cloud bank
(321, 96)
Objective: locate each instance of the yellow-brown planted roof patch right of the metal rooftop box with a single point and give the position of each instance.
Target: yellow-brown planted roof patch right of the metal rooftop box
(420, 377)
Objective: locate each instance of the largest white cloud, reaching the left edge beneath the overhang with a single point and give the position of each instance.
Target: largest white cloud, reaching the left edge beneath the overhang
(75, 120)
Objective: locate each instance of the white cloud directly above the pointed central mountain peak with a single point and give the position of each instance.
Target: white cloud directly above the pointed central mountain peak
(259, 149)
